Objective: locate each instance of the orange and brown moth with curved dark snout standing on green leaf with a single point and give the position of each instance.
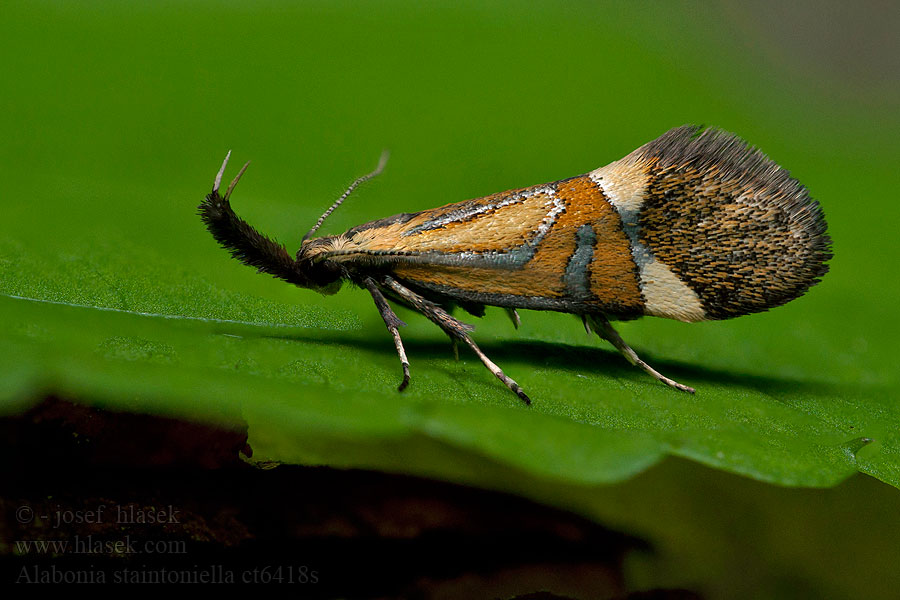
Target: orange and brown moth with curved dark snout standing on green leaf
(695, 225)
